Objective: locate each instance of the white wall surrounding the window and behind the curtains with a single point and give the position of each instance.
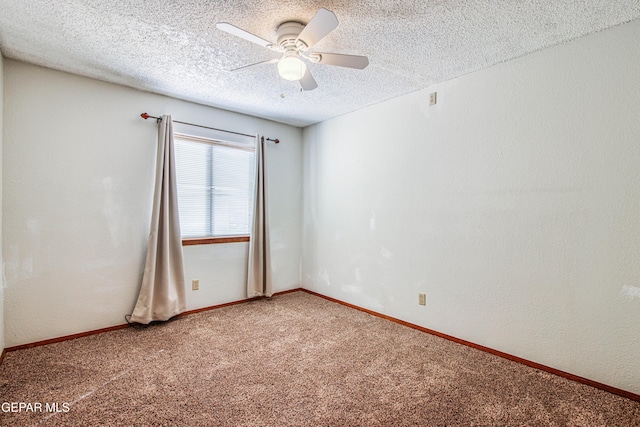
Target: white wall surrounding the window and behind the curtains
(78, 177)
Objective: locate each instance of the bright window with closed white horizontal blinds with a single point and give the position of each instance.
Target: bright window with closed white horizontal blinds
(215, 186)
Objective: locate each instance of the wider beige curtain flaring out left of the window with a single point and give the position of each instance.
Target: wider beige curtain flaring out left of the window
(162, 294)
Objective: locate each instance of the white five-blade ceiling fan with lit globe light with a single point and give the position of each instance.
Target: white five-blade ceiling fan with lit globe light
(294, 41)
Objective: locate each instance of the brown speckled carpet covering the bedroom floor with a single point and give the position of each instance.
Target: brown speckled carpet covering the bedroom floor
(297, 360)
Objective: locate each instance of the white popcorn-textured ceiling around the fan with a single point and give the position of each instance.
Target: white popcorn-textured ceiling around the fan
(174, 48)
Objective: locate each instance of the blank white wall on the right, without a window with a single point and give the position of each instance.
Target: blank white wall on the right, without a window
(513, 203)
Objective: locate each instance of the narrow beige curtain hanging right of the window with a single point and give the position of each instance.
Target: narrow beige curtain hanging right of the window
(259, 272)
